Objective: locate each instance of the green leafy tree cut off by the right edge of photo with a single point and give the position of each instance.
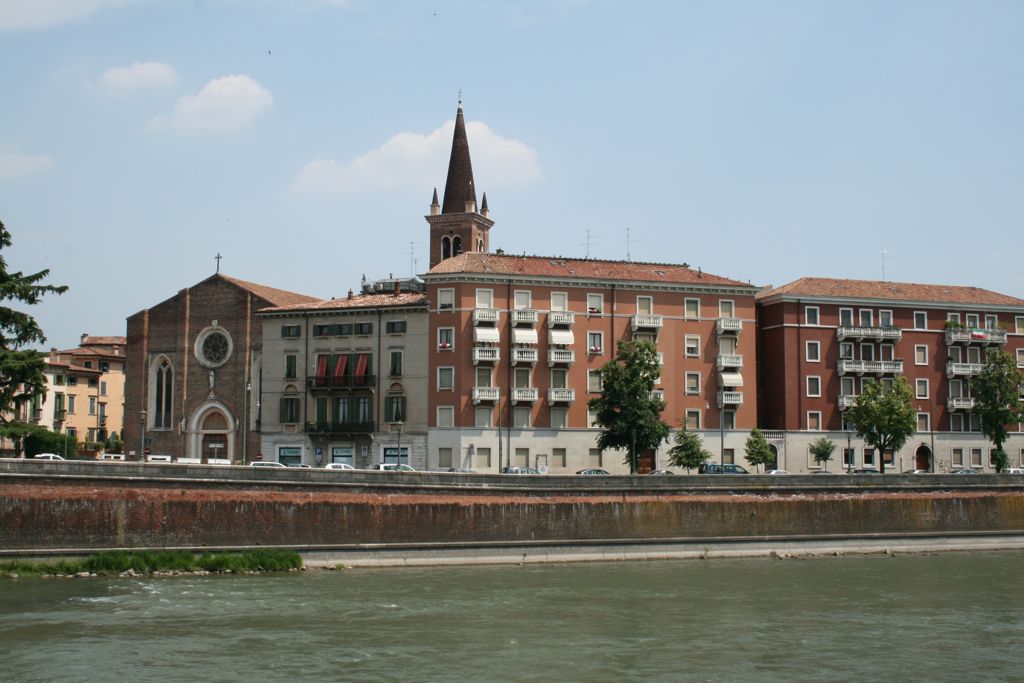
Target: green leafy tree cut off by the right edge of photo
(997, 391)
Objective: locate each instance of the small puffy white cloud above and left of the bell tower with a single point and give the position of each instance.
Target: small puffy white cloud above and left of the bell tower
(224, 104)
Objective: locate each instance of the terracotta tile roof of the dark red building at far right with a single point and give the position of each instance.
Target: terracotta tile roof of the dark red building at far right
(888, 291)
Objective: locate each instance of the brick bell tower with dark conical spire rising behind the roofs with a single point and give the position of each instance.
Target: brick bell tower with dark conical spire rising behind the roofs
(458, 226)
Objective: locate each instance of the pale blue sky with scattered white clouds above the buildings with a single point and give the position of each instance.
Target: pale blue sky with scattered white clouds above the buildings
(303, 140)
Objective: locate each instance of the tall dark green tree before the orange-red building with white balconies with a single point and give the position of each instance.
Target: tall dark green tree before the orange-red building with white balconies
(627, 411)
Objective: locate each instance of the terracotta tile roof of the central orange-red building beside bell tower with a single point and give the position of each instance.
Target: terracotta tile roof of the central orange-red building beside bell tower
(575, 269)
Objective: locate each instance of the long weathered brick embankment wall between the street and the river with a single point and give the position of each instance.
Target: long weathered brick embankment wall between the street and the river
(107, 508)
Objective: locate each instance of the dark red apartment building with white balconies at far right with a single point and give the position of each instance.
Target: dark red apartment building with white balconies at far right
(821, 339)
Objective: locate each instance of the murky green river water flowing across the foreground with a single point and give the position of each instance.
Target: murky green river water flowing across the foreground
(915, 618)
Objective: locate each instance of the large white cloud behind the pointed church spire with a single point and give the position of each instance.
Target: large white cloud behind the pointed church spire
(417, 162)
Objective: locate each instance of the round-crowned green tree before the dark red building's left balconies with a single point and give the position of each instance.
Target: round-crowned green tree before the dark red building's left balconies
(884, 417)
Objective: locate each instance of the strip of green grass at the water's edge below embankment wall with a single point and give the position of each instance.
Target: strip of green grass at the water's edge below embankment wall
(116, 563)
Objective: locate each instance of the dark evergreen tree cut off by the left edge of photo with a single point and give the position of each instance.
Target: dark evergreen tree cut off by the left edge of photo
(21, 369)
